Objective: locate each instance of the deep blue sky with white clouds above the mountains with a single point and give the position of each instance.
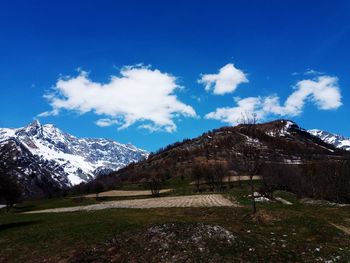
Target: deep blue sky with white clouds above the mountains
(281, 48)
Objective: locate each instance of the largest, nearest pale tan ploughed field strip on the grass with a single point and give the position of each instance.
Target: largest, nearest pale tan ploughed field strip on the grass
(173, 201)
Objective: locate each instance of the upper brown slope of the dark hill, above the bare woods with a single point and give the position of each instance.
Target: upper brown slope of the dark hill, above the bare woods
(279, 141)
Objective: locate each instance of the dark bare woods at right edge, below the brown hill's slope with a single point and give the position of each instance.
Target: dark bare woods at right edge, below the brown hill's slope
(318, 179)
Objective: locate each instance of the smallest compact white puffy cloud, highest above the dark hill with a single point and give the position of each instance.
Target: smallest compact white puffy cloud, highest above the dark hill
(226, 81)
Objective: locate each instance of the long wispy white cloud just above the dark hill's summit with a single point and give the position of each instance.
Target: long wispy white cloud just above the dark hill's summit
(322, 91)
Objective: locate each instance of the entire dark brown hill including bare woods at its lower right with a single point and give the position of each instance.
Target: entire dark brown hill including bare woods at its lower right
(285, 155)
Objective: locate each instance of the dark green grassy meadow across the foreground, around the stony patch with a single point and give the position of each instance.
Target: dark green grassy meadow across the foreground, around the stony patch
(277, 233)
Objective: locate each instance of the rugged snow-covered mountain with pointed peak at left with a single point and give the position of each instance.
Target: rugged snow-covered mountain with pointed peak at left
(45, 151)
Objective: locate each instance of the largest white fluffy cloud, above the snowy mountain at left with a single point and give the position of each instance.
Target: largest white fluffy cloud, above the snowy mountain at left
(139, 94)
